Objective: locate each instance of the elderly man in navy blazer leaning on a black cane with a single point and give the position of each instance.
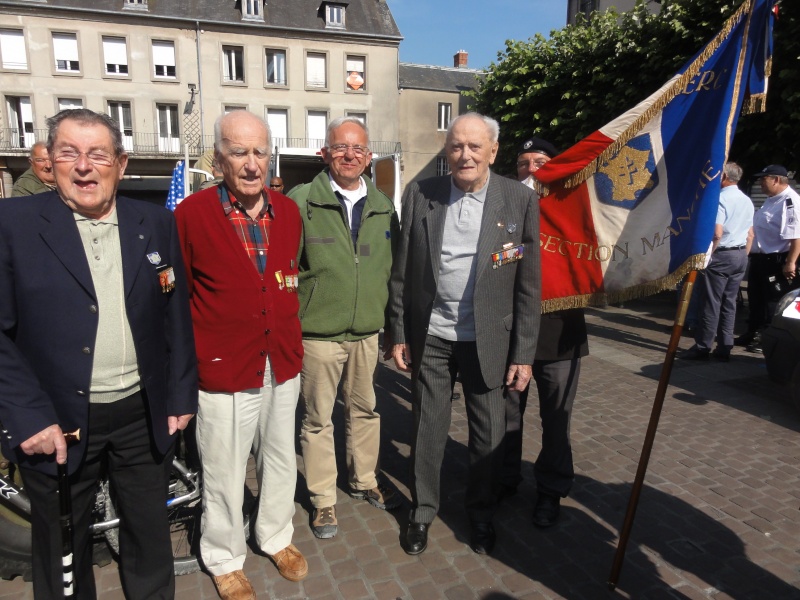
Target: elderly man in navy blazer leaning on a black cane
(96, 335)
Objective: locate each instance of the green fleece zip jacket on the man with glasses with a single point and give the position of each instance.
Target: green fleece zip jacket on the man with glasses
(343, 290)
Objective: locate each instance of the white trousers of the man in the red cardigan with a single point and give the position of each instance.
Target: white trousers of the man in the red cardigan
(229, 426)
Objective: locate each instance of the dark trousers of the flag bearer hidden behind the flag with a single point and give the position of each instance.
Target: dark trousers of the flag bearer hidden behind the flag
(556, 385)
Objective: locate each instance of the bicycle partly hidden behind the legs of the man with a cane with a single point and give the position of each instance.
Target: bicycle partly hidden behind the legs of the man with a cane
(184, 510)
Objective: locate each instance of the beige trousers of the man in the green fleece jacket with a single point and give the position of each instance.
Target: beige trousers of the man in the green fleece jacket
(324, 364)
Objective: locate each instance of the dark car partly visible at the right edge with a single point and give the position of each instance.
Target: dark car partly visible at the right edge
(781, 344)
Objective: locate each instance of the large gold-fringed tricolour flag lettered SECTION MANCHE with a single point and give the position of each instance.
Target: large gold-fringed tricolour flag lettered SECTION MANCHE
(630, 209)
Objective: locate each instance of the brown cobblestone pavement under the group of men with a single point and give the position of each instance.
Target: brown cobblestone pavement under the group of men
(718, 516)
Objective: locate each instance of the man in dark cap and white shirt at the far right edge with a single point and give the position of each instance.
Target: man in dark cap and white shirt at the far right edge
(774, 252)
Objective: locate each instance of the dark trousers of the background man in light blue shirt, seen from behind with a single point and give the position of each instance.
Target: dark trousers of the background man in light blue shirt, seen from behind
(720, 289)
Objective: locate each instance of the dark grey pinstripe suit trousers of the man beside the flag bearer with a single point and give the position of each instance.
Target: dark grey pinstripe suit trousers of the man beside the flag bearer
(432, 386)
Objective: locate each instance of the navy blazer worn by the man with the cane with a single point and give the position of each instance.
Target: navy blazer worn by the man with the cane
(49, 316)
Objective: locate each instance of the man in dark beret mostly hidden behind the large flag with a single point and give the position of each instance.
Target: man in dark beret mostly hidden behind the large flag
(556, 367)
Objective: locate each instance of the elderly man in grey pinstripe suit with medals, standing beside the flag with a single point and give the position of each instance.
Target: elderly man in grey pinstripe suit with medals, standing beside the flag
(465, 298)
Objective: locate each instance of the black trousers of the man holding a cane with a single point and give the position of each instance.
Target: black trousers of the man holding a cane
(119, 443)
